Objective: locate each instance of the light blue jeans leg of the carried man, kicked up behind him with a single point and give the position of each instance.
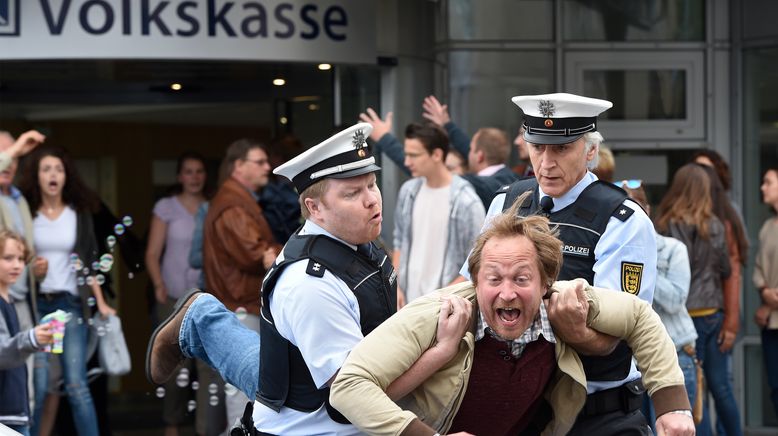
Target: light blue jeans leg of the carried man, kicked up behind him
(212, 333)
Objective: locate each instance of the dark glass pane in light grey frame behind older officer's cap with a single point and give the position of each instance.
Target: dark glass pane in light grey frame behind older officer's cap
(639, 94)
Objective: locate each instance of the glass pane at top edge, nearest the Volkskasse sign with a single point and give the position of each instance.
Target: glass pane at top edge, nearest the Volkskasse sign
(527, 20)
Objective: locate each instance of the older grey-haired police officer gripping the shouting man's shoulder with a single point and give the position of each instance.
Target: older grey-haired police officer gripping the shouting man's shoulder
(608, 240)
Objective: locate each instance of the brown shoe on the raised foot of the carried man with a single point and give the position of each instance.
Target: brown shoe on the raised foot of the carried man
(164, 353)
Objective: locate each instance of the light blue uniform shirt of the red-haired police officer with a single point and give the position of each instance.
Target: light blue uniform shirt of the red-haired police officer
(320, 316)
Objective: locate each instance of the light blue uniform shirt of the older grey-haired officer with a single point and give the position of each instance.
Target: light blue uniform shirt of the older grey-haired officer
(623, 247)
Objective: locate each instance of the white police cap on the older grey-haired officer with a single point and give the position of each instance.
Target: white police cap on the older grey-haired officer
(559, 118)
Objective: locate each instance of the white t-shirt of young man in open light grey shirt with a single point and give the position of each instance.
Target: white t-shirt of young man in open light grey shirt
(429, 233)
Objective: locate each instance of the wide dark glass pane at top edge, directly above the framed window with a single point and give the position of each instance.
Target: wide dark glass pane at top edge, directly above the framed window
(634, 20)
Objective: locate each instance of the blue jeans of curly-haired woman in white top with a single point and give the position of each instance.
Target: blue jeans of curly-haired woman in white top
(73, 363)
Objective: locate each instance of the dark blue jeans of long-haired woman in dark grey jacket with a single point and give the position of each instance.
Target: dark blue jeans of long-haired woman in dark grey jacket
(715, 364)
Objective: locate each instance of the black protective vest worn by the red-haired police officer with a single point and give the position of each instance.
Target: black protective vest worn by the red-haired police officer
(284, 378)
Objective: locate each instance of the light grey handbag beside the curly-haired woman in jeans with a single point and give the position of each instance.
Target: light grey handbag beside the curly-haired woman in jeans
(111, 347)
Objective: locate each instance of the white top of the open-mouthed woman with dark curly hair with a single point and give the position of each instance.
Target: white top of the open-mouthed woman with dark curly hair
(55, 240)
